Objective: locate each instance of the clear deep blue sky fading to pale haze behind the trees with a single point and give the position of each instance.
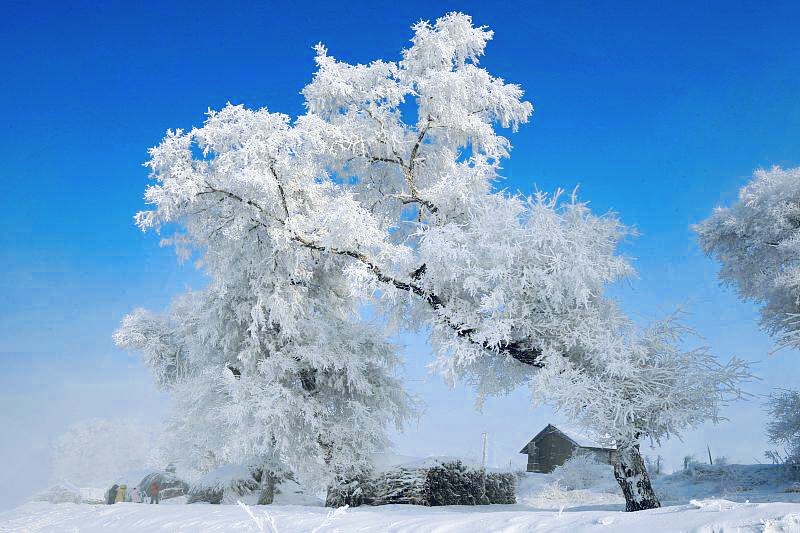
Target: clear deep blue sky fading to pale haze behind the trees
(659, 111)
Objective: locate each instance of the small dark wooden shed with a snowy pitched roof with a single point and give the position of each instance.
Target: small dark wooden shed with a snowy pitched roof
(552, 446)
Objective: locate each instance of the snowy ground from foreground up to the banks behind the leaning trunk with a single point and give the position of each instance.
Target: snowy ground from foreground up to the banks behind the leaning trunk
(699, 499)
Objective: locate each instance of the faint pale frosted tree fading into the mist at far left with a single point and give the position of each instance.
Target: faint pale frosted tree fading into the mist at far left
(95, 452)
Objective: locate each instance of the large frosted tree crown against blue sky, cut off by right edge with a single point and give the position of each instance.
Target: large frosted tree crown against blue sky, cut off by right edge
(757, 241)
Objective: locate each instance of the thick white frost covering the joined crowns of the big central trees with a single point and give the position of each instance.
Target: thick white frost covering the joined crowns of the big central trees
(384, 195)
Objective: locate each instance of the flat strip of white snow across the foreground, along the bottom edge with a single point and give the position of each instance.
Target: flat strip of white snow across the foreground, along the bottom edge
(702, 516)
